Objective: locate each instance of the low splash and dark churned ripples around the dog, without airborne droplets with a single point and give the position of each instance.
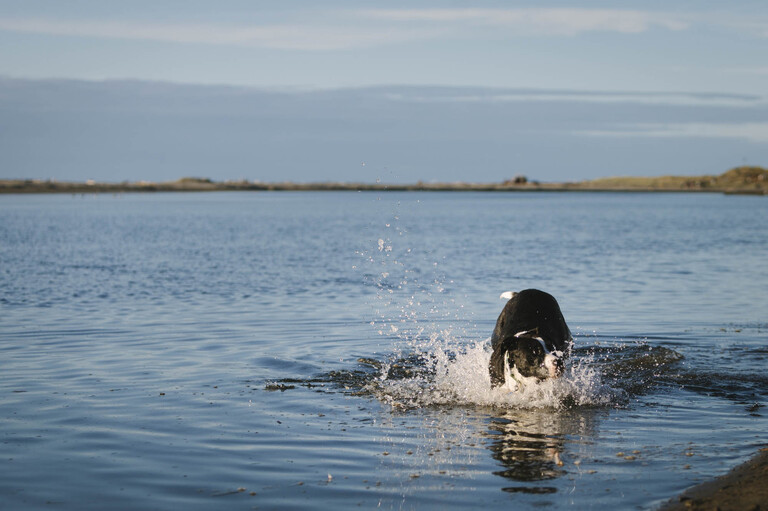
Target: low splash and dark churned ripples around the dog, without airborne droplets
(446, 371)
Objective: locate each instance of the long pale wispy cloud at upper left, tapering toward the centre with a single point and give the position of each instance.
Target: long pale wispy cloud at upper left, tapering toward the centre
(278, 36)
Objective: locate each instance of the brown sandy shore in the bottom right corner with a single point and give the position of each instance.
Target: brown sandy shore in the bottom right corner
(745, 488)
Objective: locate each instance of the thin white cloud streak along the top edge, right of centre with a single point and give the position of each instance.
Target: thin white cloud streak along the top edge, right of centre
(542, 21)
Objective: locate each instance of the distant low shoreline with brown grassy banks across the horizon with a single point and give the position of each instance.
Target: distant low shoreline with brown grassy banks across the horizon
(740, 180)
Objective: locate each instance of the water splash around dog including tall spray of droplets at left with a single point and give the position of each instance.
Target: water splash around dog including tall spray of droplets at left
(431, 365)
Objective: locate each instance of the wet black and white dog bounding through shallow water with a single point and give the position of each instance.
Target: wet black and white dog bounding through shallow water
(530, 341)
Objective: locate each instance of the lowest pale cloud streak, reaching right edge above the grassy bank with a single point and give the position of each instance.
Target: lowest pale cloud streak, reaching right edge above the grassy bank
(748, 131)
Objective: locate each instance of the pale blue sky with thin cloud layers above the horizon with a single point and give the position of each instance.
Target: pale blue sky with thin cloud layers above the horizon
(390, 91)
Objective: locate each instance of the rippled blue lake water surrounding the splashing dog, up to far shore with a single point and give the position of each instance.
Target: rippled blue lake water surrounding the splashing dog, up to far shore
(329, 350)
